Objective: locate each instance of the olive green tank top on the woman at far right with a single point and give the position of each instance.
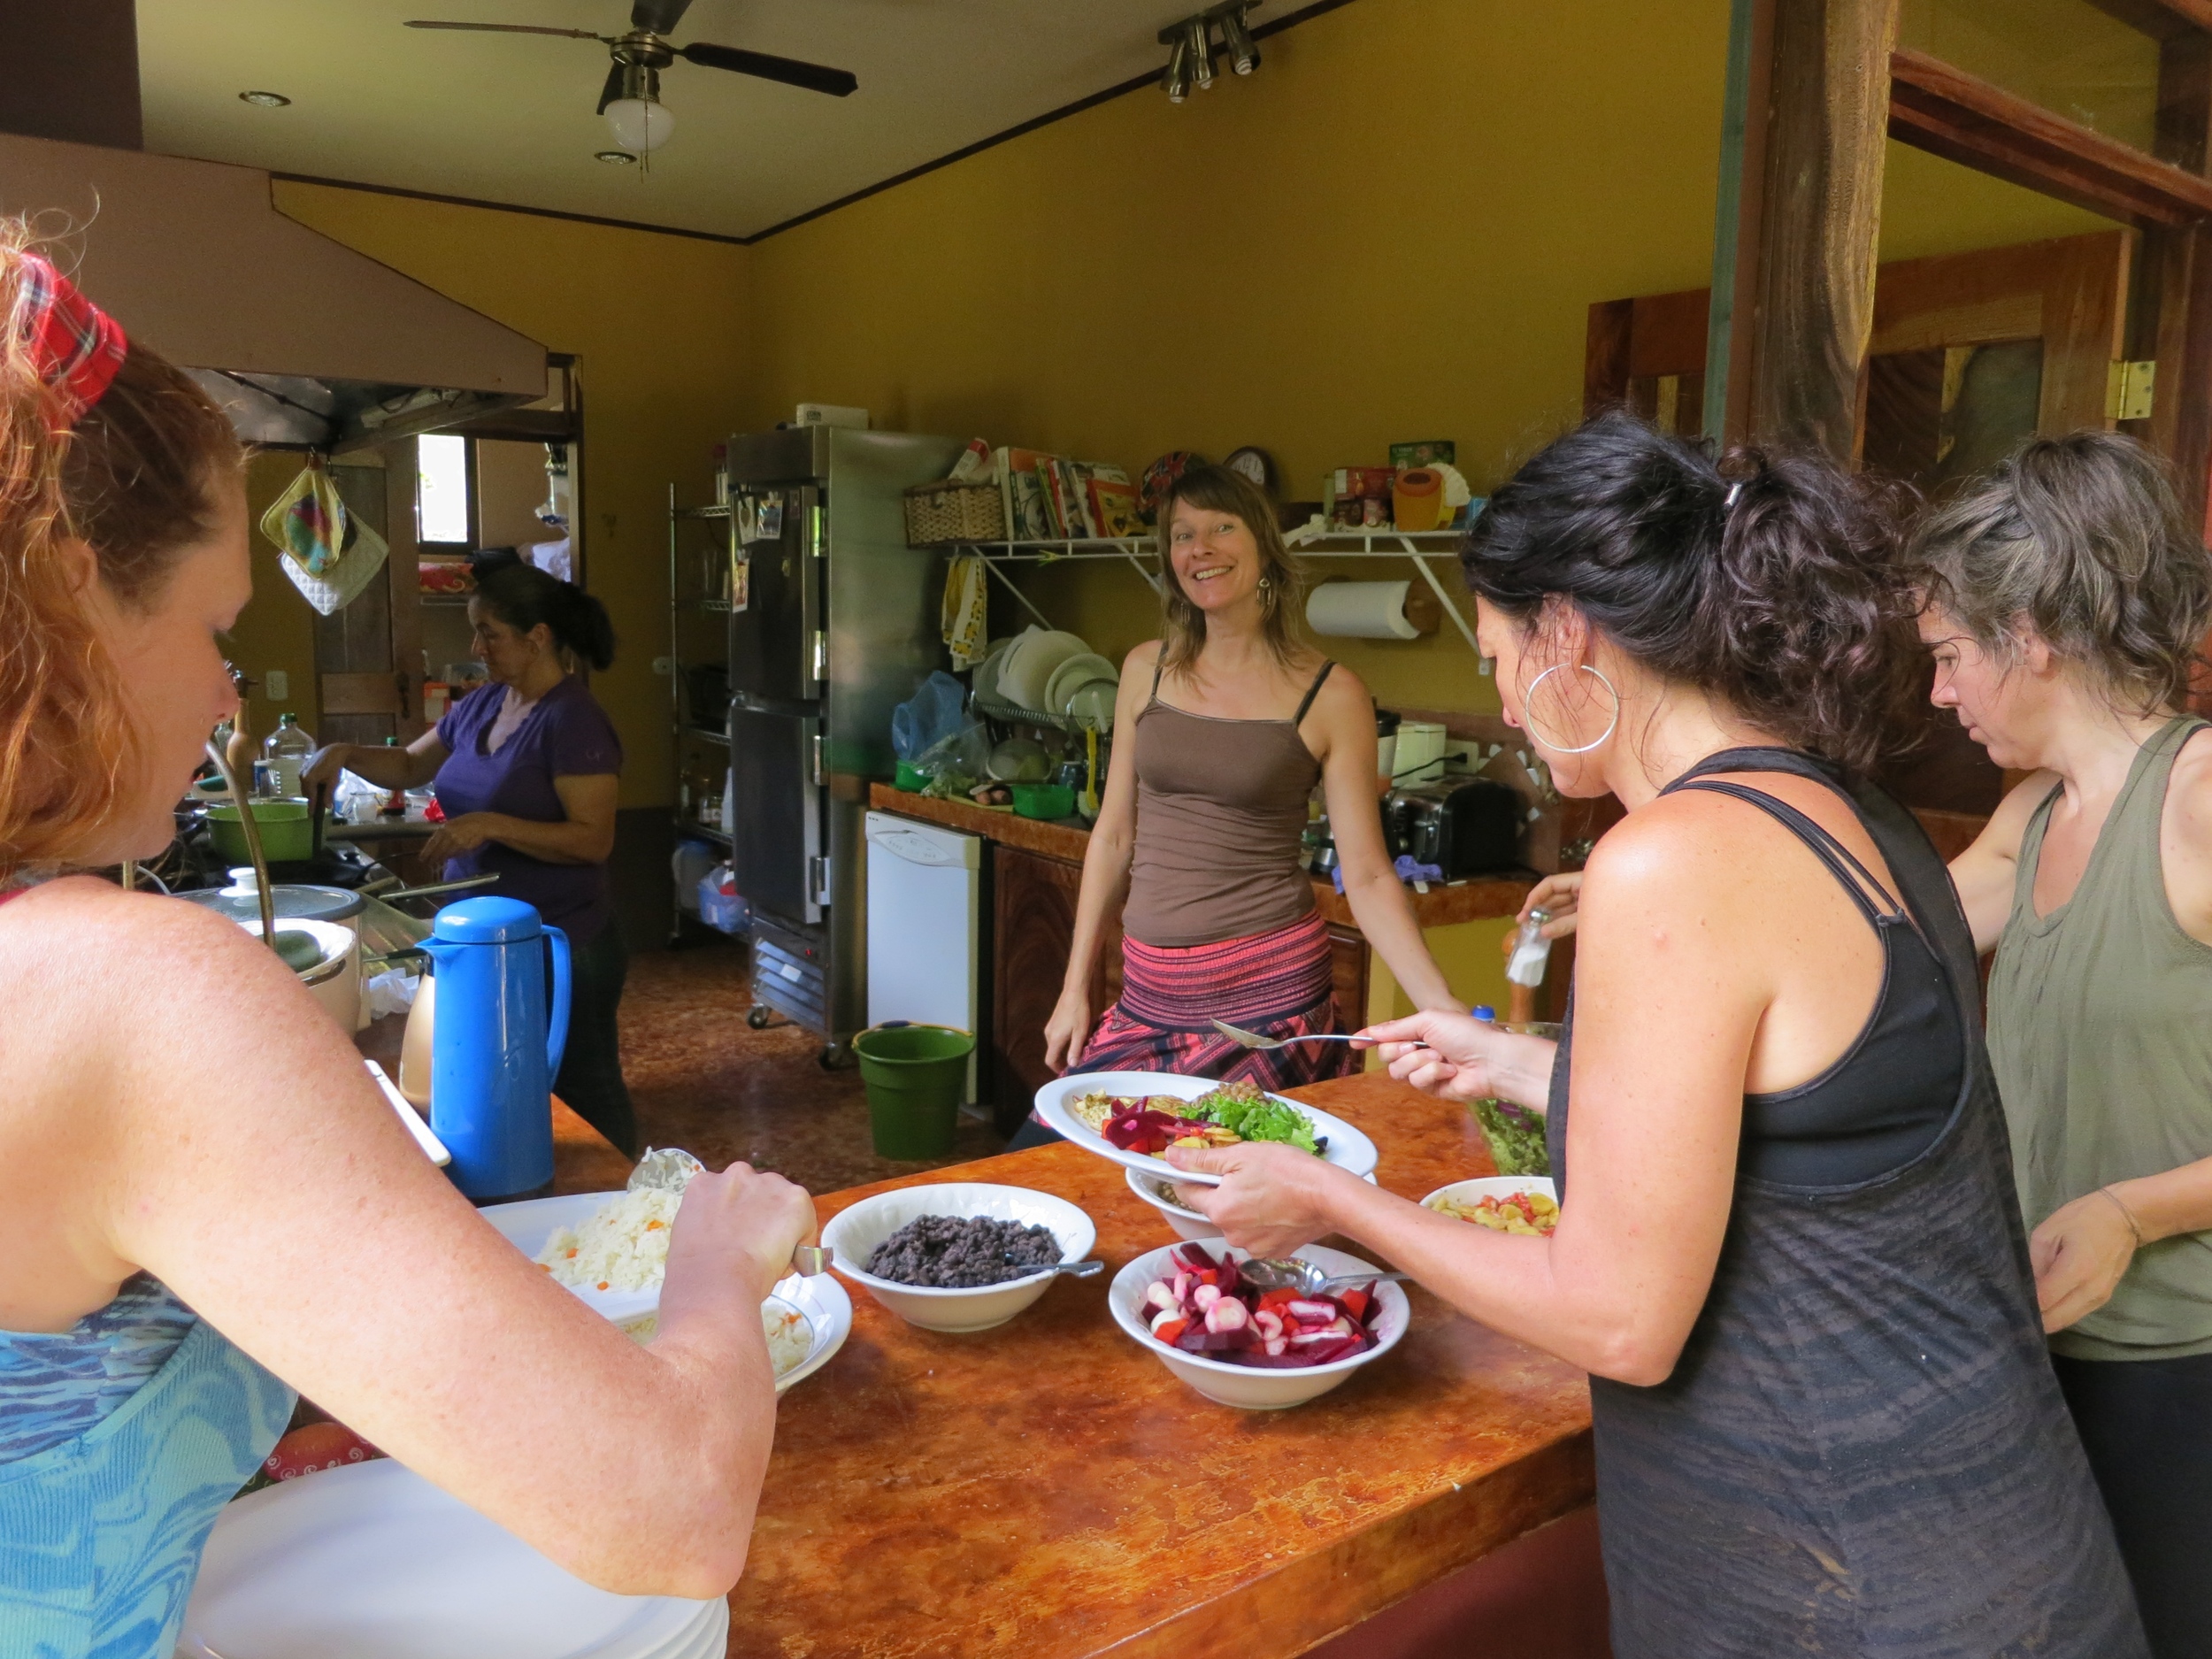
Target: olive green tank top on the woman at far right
(2100, 1032)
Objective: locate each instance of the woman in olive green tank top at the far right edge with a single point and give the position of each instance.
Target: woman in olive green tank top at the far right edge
(2067, 603)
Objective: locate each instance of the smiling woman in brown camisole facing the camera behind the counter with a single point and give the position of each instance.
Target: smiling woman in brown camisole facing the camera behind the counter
(1222, 731)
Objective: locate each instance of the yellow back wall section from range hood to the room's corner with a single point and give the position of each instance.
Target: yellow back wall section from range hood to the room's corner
(660, 333)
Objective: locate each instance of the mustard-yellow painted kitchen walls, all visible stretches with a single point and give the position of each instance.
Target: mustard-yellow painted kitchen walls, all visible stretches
(1392, 231)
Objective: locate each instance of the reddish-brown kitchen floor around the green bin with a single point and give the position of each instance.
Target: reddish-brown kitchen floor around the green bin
(707, 1083)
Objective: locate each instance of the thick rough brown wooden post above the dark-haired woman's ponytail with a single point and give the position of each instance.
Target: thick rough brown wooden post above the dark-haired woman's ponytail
(1795, 242)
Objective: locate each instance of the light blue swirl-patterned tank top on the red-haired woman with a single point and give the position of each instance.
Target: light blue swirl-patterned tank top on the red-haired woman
(121, 1443)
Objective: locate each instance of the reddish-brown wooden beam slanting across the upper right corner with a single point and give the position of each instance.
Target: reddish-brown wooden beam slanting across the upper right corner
(1961, 118)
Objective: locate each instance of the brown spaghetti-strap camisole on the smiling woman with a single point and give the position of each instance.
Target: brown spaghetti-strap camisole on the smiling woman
(1220, 815)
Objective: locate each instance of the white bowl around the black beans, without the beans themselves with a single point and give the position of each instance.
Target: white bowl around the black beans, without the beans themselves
(853, 1235)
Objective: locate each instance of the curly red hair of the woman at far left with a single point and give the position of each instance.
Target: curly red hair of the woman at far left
(134, 479)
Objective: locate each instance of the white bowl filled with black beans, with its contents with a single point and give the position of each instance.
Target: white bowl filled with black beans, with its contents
(959, 1255)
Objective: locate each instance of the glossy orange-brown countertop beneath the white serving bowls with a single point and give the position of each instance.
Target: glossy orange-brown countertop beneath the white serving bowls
(1052, 1492)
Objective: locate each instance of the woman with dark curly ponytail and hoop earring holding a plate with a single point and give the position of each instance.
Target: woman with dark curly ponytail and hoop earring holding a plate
(1788, 1249)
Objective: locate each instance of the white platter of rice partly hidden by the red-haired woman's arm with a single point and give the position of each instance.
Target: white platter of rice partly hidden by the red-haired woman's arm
(612, 1253)
